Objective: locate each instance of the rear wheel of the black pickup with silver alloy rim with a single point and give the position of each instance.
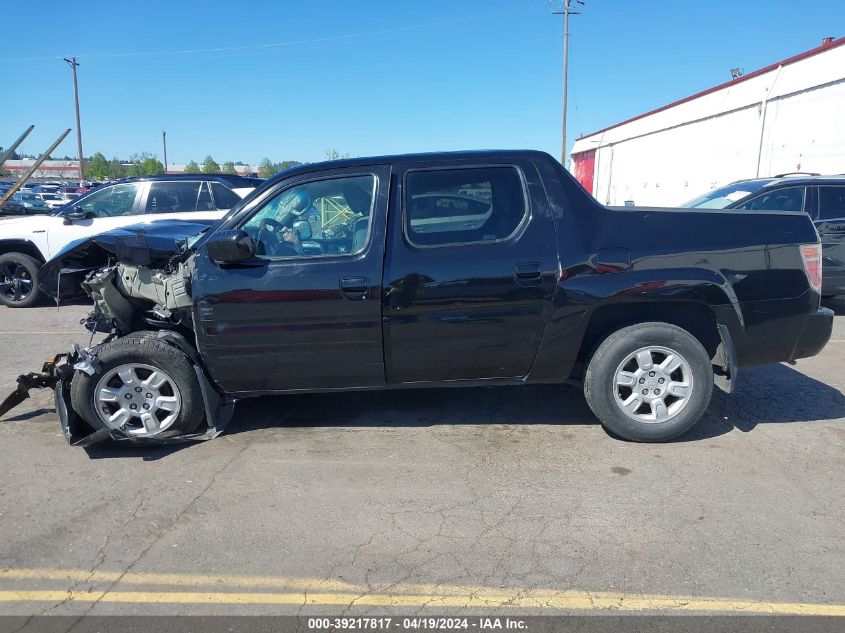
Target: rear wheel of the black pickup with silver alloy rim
(687, 377)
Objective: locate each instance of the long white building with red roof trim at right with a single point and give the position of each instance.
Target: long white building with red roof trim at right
(786, 117)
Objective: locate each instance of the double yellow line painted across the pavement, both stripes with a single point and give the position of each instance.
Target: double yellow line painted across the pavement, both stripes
(303, 591)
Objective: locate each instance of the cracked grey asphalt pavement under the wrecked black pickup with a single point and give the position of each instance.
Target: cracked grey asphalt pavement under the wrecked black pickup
(458, 500)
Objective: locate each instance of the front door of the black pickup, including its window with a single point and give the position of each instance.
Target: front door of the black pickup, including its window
(305, 313)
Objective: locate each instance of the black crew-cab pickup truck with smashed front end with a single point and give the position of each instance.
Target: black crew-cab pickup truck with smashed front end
(460, 269)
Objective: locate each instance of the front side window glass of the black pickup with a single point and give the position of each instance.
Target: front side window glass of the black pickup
(326, 217)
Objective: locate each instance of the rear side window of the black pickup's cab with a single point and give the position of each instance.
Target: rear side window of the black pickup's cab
(463, 205)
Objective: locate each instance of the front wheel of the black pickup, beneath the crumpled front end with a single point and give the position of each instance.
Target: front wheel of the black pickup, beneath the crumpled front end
(145, 386)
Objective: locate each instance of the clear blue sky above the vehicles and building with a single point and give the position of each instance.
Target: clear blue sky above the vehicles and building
(370, 76)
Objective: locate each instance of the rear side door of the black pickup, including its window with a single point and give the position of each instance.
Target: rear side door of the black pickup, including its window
(470, 271)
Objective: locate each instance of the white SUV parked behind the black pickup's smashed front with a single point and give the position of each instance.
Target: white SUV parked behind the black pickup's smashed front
(26, 243)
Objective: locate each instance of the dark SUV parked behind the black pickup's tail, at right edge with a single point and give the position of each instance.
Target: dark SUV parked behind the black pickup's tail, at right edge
(821, 197)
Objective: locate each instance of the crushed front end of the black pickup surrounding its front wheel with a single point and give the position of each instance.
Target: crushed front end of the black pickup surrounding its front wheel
(130, 300)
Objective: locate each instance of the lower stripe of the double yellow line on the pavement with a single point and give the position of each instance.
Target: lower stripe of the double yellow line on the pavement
(565, 601)
